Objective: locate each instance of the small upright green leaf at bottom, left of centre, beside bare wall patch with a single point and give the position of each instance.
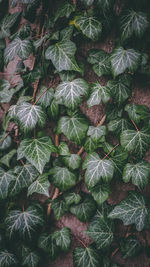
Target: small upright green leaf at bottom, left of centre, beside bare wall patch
(62, 238)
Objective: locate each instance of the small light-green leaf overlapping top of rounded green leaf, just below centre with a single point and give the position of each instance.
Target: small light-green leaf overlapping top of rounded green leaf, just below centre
(72, 162)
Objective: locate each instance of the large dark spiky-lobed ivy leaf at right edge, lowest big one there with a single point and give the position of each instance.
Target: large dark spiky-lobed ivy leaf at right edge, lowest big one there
(131, 210)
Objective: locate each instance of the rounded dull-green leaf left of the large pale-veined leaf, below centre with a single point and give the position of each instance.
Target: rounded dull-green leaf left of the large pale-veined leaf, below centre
(62, 178)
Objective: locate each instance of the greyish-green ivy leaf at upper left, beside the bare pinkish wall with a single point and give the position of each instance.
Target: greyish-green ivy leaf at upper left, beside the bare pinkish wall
(22, 48)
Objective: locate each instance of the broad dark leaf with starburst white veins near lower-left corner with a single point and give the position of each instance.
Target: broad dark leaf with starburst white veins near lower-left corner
(24, 222)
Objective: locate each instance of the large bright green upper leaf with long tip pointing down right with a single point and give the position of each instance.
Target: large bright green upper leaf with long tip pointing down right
(62, 55)
